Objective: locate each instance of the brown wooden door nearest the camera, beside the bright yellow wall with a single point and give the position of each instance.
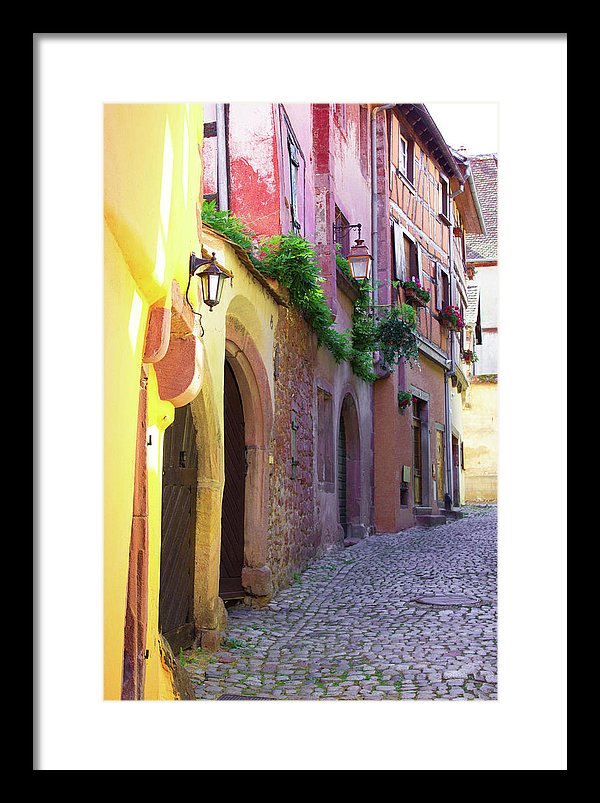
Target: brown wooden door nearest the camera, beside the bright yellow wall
(180, 466)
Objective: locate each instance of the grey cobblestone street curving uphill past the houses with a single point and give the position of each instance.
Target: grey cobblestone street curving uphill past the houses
(410, 615)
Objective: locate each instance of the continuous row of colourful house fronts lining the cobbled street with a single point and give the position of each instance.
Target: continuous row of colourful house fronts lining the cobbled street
(240, 444)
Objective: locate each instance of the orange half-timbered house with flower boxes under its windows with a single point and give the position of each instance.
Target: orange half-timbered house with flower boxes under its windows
(430, 207)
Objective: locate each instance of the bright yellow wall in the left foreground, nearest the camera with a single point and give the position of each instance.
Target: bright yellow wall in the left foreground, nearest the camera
(152, 182)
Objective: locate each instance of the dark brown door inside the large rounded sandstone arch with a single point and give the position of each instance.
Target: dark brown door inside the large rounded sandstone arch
(232, 515)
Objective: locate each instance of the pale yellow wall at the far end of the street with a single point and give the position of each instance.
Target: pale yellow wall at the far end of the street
(480, 431)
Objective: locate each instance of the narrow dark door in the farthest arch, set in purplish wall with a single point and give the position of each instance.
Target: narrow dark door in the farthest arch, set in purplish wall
(348, 463)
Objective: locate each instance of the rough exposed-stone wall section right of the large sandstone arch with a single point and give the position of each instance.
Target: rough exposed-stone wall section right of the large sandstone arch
(292, 537)
